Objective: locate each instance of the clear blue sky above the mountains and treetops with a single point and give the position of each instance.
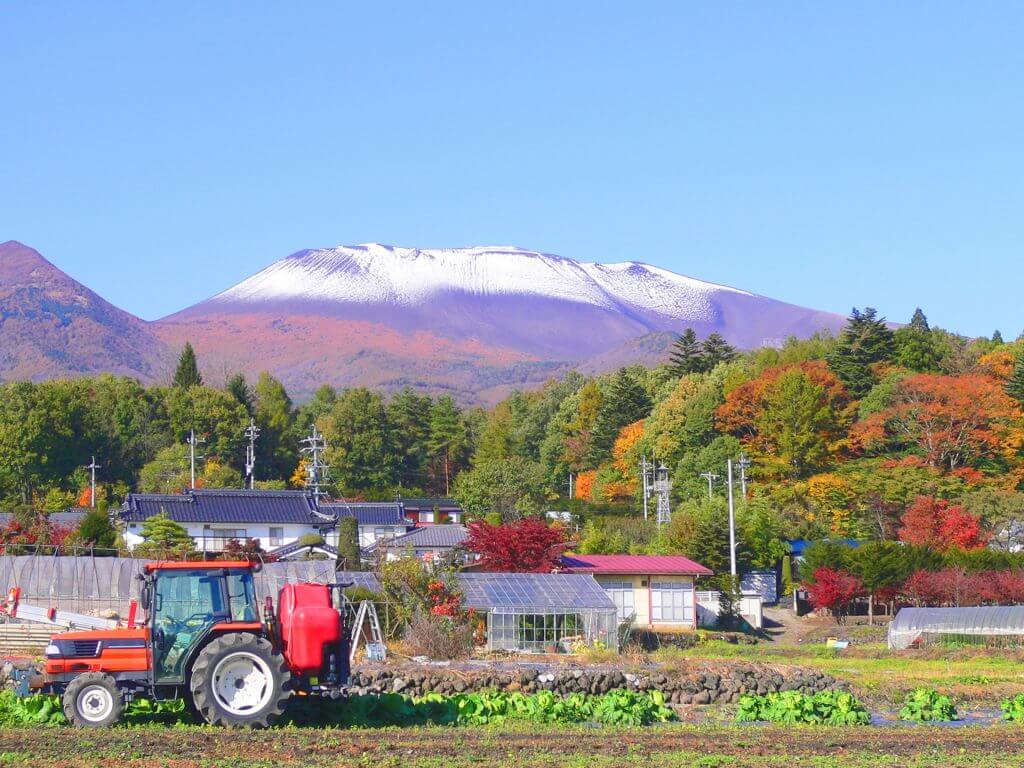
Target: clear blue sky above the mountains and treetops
(825, 154)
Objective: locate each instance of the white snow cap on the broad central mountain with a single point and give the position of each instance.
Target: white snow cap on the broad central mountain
(373, 273)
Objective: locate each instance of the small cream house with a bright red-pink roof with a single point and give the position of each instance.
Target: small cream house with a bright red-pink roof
(656, 591)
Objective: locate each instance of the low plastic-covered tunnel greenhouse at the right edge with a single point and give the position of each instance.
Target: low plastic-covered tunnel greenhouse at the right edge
(983, 625)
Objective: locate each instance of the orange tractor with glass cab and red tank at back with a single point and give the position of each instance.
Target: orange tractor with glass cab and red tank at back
(204, 641)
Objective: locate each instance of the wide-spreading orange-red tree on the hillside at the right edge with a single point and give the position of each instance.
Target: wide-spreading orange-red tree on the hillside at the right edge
(953, 420)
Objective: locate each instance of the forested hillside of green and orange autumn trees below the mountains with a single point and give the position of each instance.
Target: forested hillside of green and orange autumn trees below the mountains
(913, 435)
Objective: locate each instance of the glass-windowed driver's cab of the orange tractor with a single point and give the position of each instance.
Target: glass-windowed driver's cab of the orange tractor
(187, 605)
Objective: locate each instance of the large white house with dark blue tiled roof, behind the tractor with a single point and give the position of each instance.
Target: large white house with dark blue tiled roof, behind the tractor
(279, 520)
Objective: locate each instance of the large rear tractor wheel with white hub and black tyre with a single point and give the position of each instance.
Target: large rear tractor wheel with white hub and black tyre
(240, 680)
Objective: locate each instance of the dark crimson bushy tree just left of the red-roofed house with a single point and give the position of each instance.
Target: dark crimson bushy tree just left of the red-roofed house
(528, 546)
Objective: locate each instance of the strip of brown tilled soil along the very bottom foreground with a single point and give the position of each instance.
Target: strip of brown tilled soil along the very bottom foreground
(707, 747)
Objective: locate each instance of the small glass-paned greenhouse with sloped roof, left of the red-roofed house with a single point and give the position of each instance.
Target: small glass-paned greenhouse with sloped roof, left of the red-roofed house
(542, 613)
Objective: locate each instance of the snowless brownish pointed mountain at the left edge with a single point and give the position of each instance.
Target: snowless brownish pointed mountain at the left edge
(52, 326)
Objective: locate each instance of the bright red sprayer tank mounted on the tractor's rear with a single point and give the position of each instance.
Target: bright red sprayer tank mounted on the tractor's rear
(308, 622)
